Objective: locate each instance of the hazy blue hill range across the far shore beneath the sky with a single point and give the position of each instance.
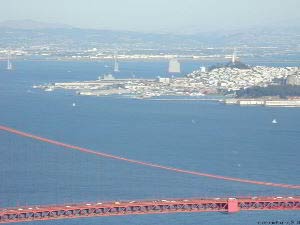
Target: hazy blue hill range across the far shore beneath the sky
(251, 43)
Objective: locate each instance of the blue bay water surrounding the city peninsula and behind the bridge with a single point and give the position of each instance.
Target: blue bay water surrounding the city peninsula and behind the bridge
(202, 136)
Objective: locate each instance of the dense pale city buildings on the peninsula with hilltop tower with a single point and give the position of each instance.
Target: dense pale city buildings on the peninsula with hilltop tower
(219, 79)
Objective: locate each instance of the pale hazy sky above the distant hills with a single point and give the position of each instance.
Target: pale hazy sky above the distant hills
(155, 15)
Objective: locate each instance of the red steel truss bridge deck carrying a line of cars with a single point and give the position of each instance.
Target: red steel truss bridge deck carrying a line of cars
(83, 210)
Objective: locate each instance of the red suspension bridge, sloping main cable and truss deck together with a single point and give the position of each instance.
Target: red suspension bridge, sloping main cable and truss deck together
(22, 214)
